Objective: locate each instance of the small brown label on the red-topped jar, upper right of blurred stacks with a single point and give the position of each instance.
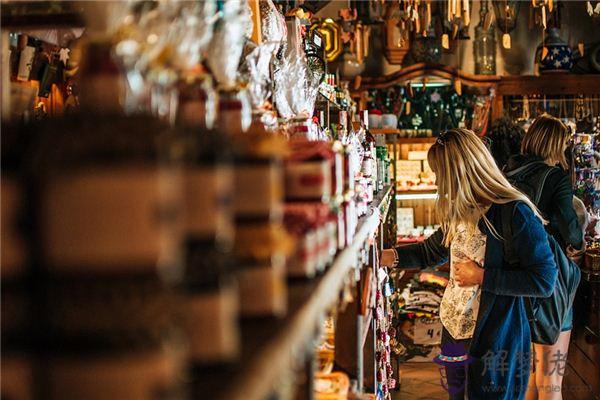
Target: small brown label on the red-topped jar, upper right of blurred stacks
(308, 180)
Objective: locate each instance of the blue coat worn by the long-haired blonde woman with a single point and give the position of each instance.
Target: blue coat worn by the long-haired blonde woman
(502, 327)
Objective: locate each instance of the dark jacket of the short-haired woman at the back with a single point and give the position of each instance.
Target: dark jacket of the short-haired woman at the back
(556, 203)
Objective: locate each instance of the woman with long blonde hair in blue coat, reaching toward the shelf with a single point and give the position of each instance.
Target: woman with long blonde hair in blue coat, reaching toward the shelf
(482, 309)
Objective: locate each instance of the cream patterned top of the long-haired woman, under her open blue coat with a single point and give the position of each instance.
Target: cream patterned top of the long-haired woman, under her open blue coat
(460, 305)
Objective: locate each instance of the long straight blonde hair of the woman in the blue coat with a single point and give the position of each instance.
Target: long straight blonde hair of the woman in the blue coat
(468, 180)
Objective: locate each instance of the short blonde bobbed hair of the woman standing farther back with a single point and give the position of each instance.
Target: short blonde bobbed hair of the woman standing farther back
(546, 138)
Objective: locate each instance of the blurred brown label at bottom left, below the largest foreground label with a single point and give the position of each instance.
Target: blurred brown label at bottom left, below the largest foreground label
(148, 375)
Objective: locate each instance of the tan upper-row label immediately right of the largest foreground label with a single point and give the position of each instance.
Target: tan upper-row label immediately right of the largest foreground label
(208, 201)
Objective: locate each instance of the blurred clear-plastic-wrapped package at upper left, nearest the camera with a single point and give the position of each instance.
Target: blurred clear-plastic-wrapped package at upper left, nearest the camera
(157, 42)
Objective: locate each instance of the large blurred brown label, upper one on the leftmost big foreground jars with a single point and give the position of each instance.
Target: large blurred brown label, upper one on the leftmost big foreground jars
(111, 220)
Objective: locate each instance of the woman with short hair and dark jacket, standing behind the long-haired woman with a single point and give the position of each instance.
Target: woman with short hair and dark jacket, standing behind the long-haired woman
(543, 155)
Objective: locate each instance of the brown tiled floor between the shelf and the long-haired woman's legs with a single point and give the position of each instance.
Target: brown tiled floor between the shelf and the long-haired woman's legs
(420, 381)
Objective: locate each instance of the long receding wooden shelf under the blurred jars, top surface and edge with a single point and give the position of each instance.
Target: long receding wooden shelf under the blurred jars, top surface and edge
(271, 346)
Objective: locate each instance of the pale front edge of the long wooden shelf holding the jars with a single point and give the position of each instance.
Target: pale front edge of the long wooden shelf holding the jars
(261, 372)
